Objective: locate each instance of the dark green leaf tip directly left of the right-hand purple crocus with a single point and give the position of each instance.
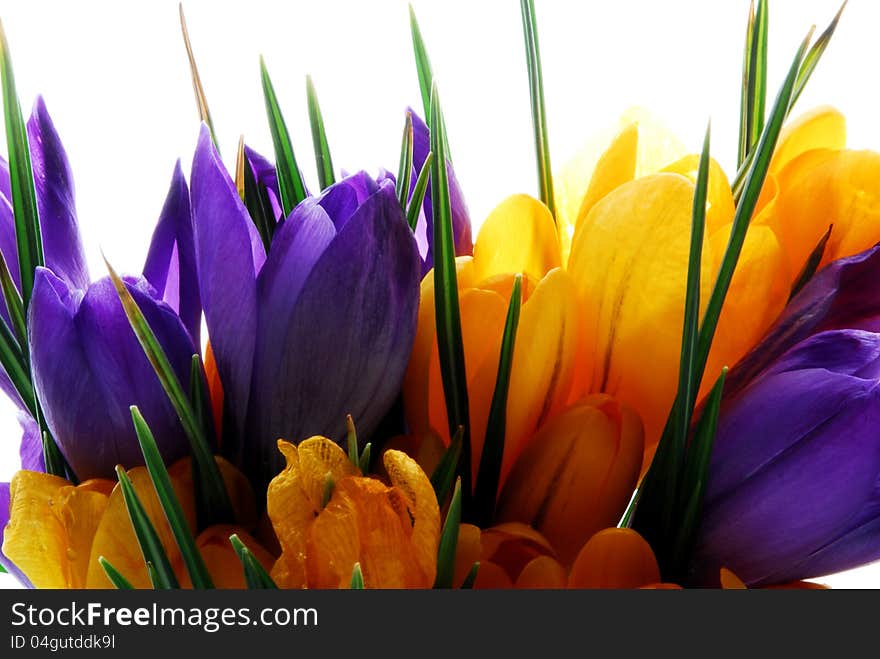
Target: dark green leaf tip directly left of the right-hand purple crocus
(696, 473)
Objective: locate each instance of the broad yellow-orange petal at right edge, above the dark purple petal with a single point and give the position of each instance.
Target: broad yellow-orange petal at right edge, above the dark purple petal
(821, 188)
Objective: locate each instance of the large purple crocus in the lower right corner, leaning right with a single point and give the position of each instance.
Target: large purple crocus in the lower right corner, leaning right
(794, 482)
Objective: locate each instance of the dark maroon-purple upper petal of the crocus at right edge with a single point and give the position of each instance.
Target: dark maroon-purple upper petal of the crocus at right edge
(842, 295)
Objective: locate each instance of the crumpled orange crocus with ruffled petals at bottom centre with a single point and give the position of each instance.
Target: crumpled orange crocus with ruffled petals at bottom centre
(392, 531)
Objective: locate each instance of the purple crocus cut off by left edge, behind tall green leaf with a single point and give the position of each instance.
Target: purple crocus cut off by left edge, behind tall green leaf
(53, 182)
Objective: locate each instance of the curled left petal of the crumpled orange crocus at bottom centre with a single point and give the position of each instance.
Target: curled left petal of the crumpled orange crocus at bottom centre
(294, 498)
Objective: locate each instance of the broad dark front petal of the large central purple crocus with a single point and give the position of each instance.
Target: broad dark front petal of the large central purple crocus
(346, 349)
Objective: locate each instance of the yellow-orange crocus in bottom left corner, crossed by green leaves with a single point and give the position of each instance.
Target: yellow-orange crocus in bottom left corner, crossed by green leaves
(57, 530)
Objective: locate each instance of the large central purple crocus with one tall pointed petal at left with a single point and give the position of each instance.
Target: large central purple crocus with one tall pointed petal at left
(319, 328)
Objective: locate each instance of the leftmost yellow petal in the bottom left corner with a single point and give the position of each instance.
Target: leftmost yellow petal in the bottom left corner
(51, 527)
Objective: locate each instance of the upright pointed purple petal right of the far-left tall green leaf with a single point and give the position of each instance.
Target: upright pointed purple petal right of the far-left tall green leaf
(55, 199)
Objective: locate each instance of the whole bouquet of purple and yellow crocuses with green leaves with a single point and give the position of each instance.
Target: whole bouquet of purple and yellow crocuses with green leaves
(655, 374)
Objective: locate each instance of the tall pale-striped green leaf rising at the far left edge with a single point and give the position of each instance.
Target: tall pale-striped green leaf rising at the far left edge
(28, 237)
